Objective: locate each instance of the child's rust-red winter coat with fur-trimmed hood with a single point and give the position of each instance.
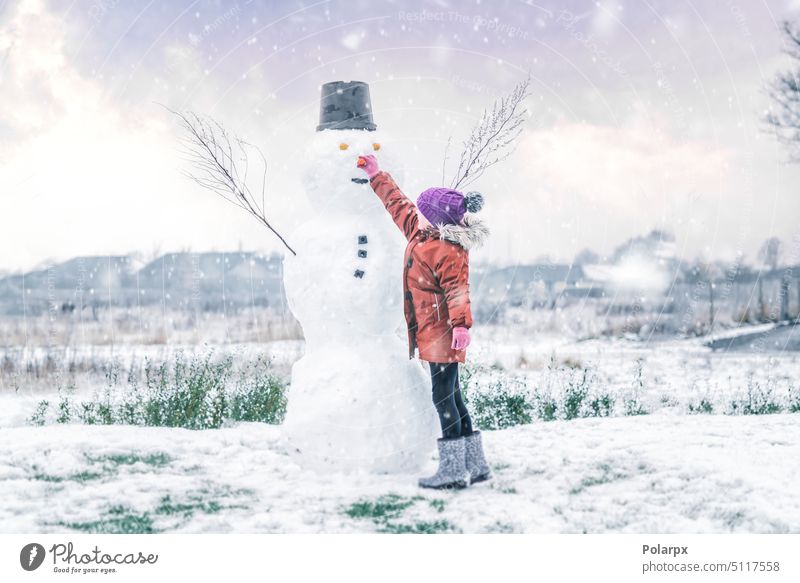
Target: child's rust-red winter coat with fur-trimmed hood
(435, 275)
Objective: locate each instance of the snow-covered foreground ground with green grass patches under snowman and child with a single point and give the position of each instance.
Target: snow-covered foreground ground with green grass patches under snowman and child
(656, 473)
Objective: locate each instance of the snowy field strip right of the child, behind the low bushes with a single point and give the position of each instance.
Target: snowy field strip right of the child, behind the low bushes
(670, 374)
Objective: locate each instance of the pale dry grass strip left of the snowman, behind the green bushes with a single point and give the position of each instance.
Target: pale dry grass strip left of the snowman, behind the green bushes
(39, 353)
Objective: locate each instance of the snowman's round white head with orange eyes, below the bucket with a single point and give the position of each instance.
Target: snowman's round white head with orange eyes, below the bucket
(334, 182)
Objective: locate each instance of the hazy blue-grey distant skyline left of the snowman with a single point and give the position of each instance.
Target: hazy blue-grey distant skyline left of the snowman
(196, 281)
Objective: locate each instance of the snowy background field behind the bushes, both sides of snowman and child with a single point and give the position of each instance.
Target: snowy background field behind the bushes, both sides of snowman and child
(672, 374)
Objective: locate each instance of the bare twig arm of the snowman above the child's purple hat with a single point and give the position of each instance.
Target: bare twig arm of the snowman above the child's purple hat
(494, 137)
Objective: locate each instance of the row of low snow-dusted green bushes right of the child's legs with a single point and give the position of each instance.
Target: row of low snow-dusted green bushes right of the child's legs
(566, 389)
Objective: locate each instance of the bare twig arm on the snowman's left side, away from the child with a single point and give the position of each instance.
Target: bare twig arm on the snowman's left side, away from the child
(220, 163)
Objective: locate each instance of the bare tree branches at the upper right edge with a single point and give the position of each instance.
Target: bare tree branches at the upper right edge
(783, 118)
